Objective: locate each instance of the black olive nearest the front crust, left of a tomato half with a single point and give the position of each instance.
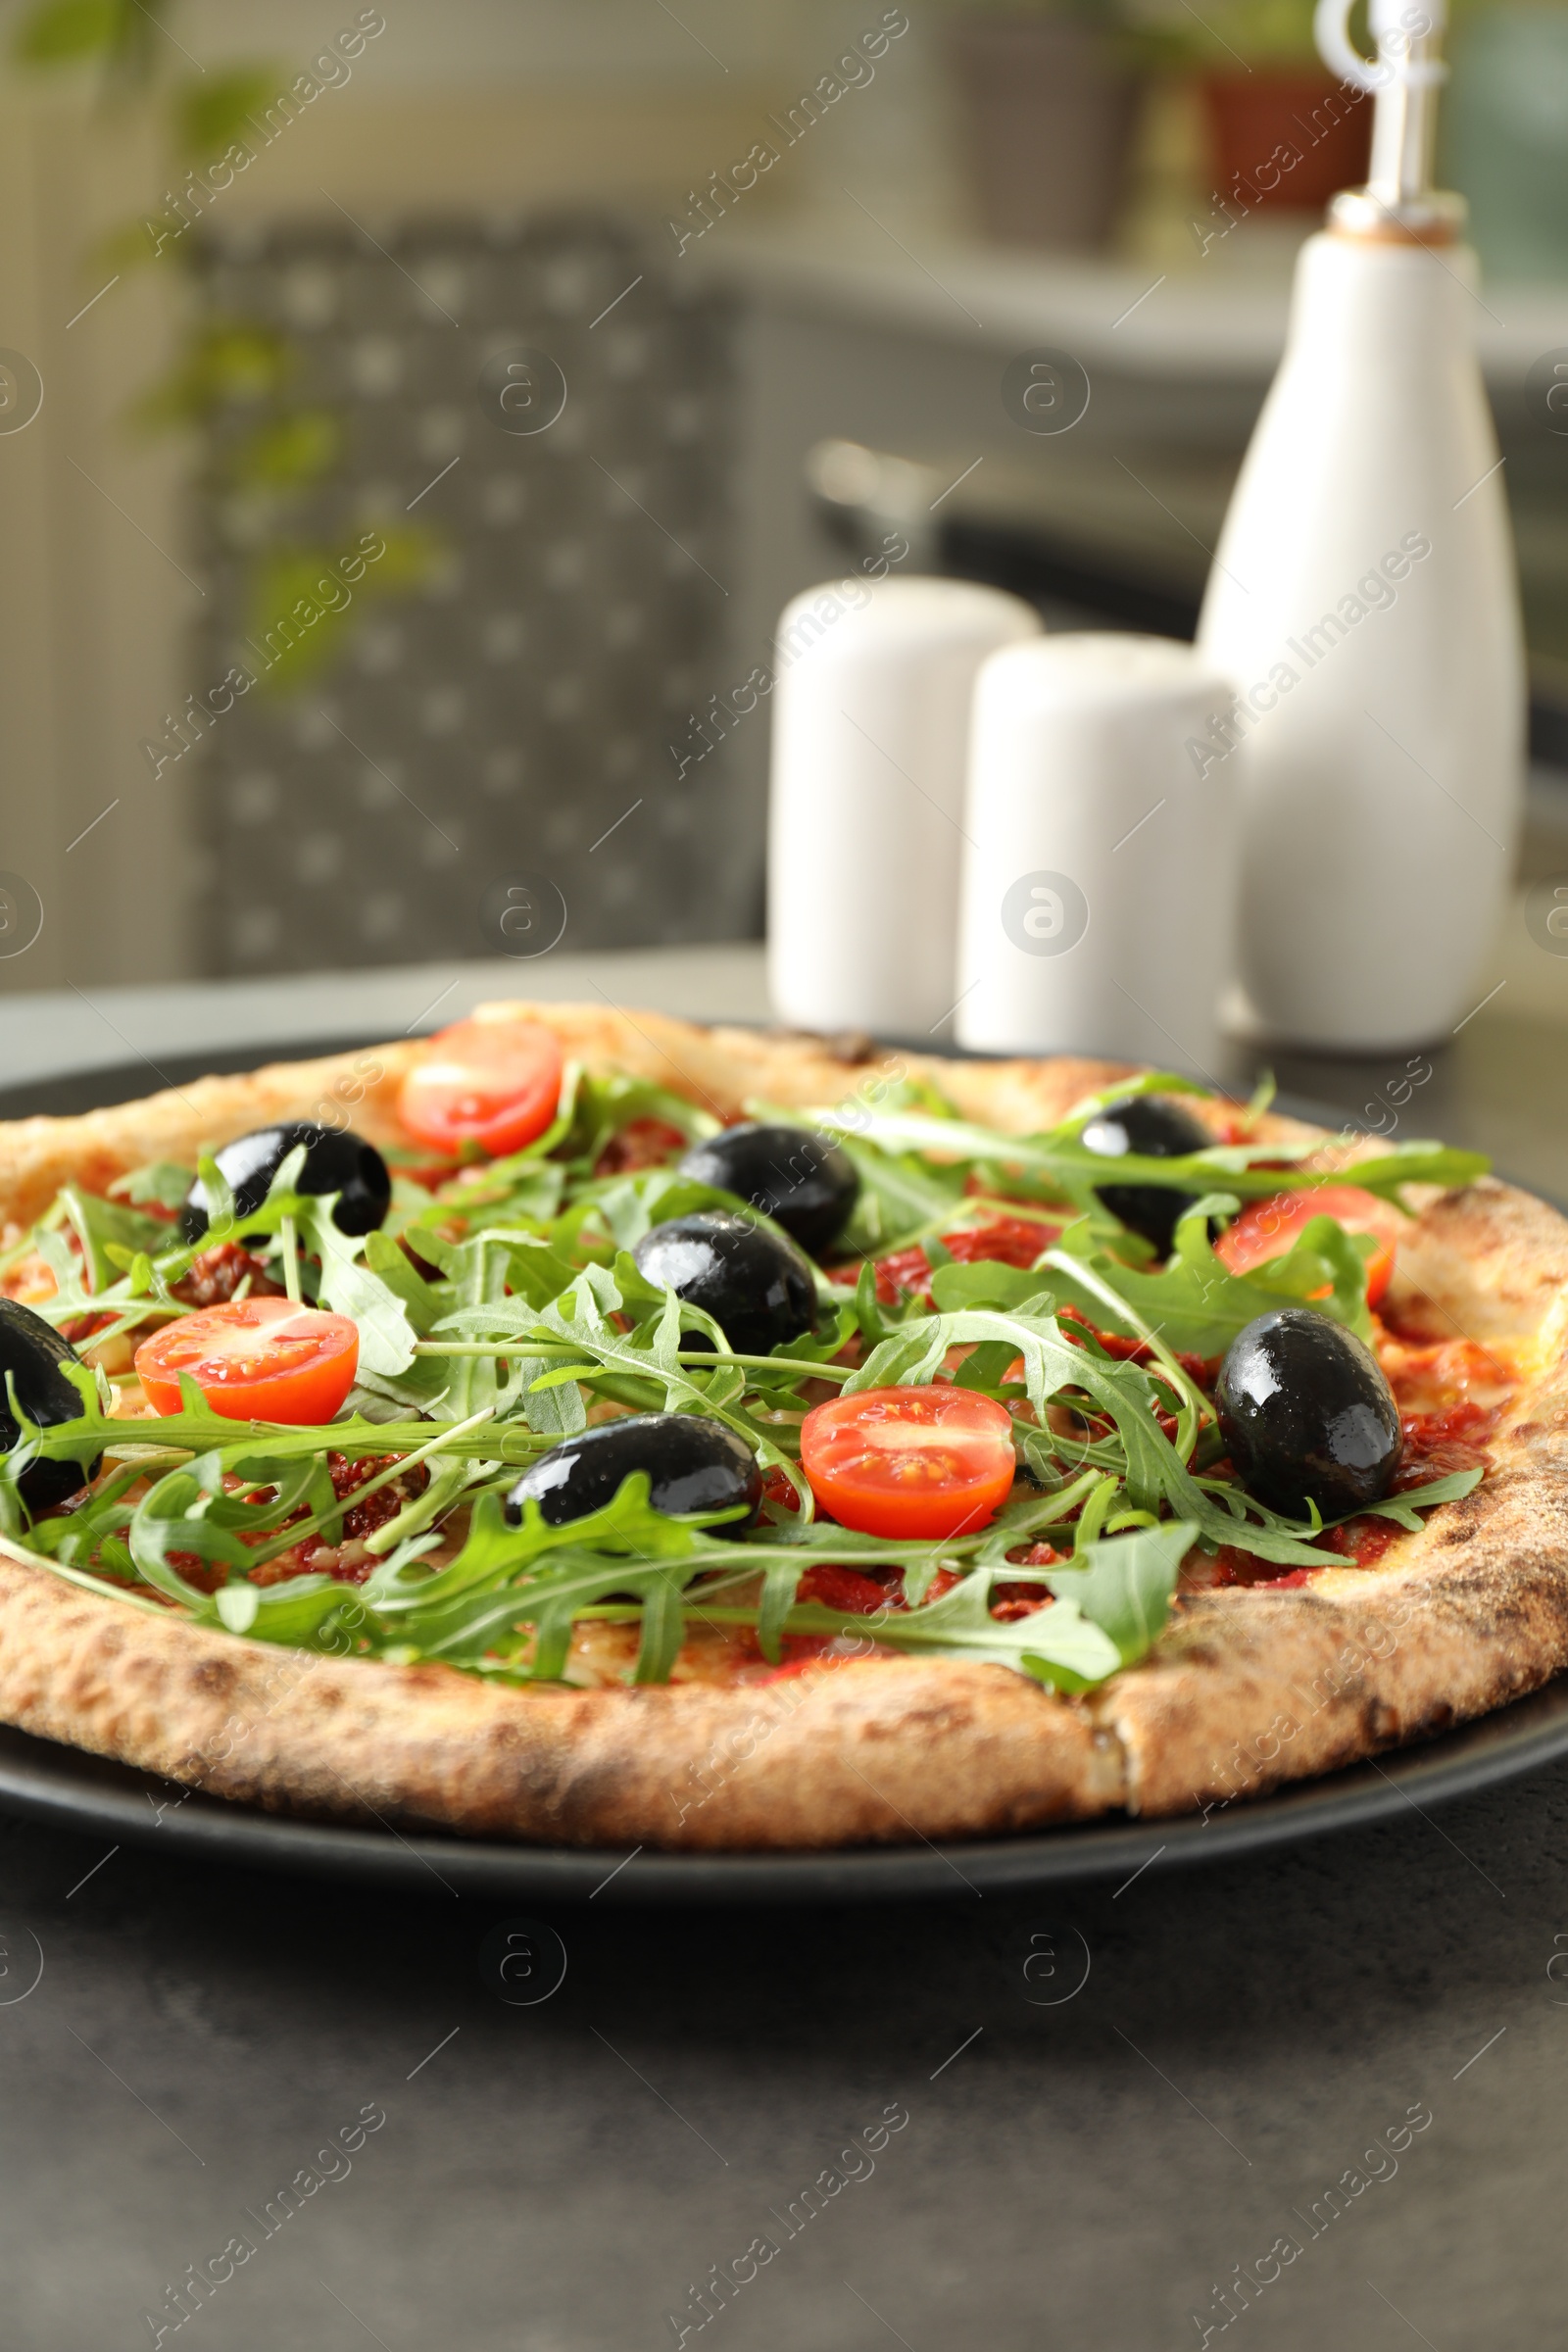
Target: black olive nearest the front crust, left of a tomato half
(690, 1464)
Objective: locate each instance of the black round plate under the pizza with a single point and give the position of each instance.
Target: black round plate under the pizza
(76, 1791)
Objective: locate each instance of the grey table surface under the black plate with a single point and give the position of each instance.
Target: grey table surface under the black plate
(1224, 2050)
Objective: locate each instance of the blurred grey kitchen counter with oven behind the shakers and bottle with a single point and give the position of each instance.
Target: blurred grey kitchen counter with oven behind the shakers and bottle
(862, 335)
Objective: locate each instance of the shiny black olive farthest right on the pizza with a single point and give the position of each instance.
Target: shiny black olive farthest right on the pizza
(1308, 1415)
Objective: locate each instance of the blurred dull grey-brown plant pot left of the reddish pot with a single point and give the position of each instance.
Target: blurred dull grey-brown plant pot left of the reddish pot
(1050, 128)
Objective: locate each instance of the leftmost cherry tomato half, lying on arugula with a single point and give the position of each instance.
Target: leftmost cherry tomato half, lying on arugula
(255, 1361)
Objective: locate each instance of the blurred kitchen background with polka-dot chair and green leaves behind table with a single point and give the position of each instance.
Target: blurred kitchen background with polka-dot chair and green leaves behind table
(413, 420)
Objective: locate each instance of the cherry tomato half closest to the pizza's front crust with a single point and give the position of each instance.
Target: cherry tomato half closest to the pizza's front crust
(911, 1462)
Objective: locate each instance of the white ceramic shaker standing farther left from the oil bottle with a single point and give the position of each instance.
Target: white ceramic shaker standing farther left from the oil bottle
(866, 822)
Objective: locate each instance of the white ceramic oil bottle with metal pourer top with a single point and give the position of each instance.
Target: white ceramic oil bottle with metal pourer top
(1365, 606)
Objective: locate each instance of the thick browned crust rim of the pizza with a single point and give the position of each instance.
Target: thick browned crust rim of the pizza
(1247, 1685)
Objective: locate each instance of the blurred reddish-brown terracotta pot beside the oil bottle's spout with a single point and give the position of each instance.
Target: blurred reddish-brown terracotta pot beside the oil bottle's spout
(1259, 121)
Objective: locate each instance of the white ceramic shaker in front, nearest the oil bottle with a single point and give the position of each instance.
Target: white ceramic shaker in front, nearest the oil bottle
(1101, 871)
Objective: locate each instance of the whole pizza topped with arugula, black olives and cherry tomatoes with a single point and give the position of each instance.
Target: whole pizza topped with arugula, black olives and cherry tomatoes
(603, 1431)
